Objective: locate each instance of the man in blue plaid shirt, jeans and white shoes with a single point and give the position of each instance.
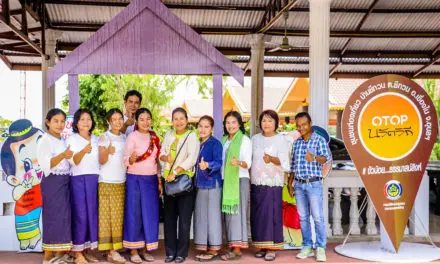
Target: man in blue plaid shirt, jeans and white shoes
(309, 153)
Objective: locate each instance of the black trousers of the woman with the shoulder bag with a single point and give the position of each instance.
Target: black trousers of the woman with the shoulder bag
(178, 210)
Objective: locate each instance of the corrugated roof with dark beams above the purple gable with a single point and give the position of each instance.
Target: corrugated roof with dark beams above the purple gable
(367, 37)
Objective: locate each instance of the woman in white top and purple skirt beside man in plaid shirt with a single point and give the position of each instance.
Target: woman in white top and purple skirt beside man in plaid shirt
(270, 158)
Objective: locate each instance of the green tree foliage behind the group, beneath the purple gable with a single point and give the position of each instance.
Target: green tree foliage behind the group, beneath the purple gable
(99, 93)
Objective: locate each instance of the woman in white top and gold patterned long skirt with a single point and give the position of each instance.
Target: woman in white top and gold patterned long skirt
(112, 187)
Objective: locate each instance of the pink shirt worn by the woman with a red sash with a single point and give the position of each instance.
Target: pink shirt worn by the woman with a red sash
(139, 143)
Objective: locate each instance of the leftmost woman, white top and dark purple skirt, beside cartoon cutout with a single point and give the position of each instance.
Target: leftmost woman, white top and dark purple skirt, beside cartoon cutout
(53, 155)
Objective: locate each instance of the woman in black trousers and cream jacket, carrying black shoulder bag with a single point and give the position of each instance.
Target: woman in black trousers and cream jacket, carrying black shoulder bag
(178, 209)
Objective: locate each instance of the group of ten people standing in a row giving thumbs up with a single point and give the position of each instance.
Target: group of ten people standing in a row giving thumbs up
(103, 192)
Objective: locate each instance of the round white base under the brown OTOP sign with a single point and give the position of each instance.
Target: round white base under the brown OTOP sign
(372, 251)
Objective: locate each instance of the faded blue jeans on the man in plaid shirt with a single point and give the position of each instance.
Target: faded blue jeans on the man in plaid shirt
(309, 200)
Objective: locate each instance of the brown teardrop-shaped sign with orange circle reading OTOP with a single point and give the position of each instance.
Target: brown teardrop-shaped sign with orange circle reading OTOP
(389, 127)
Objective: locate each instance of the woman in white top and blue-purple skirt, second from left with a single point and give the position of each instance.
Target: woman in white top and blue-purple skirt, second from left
(84, 185)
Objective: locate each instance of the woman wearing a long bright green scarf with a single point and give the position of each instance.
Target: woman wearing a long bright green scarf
(237, 159)
